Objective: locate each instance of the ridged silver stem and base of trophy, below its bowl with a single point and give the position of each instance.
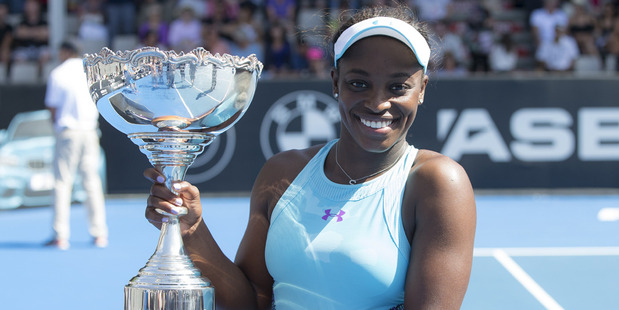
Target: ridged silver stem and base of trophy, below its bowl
(169, 280)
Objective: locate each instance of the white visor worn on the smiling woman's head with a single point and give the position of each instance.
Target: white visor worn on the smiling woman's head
(384, 26)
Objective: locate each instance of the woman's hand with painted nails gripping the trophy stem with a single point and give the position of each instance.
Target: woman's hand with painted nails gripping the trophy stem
(161, 198)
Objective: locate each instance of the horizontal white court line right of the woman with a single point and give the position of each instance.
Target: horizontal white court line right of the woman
(550, 251)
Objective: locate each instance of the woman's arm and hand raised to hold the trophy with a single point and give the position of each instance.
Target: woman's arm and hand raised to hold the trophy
(246, 282)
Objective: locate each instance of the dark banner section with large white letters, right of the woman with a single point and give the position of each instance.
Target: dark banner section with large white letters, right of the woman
(511, 133)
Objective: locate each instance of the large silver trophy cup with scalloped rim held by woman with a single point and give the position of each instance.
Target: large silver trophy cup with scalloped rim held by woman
(172, 106)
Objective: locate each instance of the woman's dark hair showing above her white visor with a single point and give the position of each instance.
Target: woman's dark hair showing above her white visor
(400, 11)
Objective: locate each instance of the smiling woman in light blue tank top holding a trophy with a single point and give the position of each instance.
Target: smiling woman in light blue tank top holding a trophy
(364, 222)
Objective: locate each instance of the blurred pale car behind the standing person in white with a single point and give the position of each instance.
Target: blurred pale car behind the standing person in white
(26, 155)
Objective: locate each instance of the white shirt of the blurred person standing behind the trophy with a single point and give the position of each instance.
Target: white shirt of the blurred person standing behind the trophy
(67, 92)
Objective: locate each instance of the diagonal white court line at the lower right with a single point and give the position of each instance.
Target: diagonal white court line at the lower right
(537, 291)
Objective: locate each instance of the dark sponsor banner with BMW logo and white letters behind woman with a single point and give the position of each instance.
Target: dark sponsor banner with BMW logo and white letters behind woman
(507, 133)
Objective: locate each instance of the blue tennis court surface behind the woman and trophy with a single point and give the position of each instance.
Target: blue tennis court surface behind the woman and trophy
(532, 252)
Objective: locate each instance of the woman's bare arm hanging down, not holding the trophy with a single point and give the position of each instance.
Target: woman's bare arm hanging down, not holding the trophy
(444, 217)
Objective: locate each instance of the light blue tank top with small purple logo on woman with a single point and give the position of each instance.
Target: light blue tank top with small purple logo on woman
(335, 246)
